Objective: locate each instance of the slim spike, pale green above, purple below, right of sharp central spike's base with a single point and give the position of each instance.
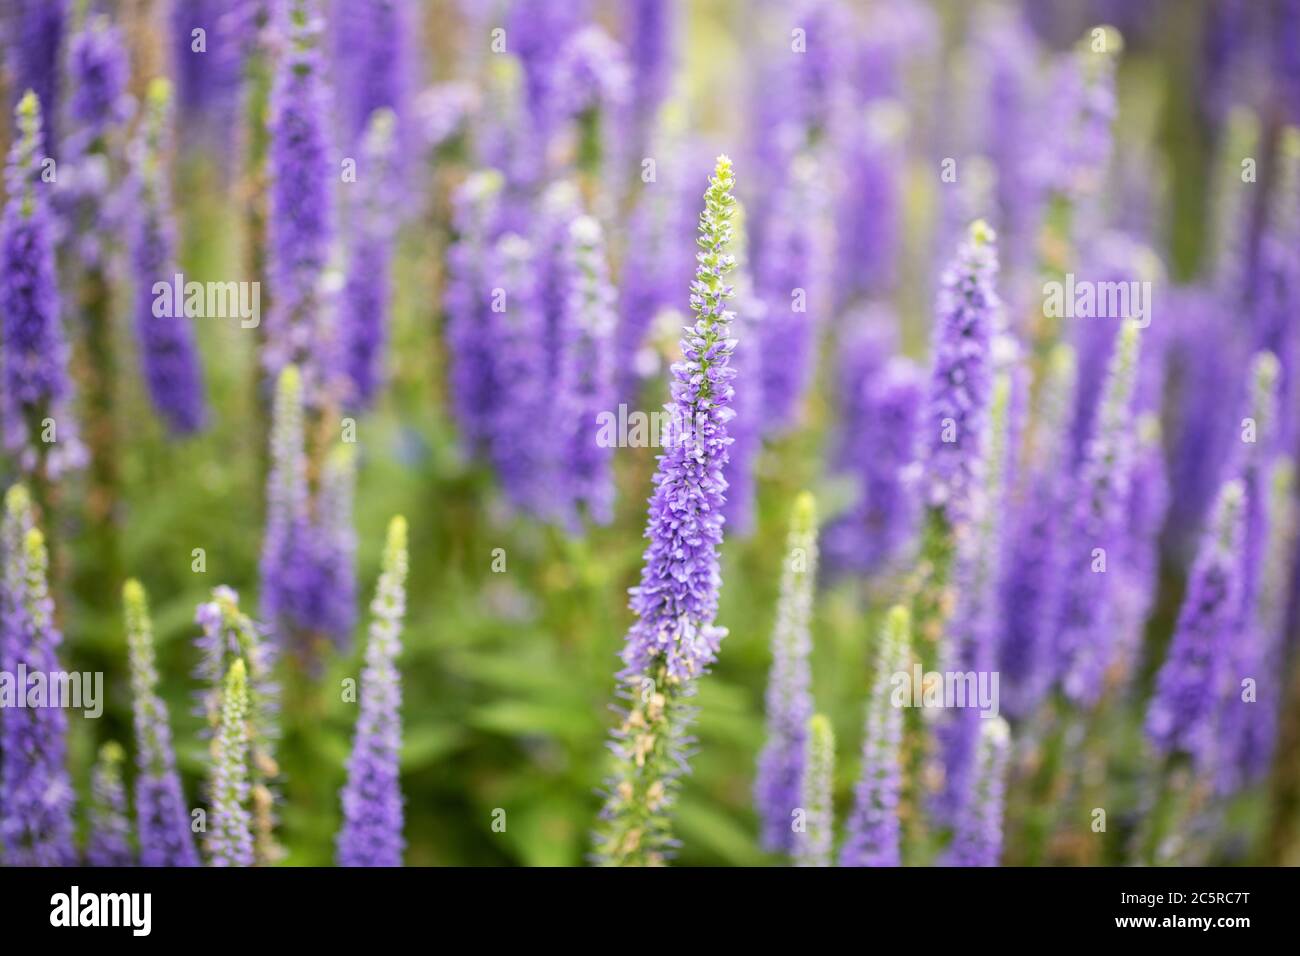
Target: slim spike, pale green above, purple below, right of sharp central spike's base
(778, 789)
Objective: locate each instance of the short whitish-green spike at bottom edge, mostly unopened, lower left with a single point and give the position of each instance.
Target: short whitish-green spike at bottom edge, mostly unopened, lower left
(229, 841)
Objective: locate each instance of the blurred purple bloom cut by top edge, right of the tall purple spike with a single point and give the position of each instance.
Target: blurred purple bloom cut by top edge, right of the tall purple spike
(372, 59)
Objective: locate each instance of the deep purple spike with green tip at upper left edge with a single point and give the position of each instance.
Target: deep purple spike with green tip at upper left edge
(38, 426)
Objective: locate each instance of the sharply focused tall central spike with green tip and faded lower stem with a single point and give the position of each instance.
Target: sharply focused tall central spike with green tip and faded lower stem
(675, 639)
